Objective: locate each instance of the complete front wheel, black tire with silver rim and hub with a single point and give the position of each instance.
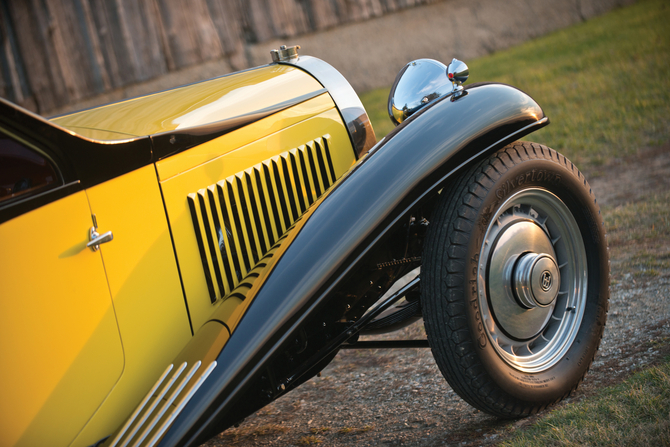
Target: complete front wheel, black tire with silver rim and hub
(515, 281)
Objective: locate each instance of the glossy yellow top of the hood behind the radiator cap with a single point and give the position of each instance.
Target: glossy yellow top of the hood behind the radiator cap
(196, 104)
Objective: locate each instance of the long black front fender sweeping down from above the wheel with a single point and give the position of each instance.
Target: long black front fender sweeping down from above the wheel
(342, 255)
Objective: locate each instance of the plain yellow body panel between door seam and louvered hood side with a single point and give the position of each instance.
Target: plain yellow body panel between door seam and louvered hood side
(145, 286)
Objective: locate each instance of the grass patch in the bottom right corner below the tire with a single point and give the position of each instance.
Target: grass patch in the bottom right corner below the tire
(635, 413)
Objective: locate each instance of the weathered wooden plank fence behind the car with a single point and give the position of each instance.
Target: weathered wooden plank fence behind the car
(54, 52)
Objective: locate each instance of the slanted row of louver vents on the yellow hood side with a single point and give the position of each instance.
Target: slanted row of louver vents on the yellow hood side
(238, 220)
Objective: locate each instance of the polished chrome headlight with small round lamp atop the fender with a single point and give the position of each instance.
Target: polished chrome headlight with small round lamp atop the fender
(422, 81)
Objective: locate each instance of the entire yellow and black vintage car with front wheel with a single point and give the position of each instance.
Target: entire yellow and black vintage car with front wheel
(172, 263)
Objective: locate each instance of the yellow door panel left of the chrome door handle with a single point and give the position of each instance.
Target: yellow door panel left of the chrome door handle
(59, 341)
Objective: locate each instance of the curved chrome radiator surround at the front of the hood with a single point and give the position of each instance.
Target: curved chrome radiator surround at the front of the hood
(348, 103)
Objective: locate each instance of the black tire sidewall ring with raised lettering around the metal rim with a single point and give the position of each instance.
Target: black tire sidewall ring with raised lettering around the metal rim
(558, 380)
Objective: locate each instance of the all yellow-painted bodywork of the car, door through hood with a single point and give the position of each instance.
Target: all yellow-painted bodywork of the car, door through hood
(87, 333)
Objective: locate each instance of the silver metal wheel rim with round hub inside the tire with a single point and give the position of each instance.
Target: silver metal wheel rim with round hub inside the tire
(532, 280)
